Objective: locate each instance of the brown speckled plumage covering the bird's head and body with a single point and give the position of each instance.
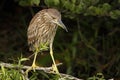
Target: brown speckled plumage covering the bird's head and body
(41, 30)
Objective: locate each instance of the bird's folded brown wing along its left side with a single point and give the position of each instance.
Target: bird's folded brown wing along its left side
(33, 30)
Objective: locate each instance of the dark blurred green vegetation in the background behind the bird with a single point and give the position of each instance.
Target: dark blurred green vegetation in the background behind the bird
(91, 46)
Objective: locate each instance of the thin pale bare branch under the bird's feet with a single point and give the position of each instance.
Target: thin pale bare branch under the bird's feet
(45, 69)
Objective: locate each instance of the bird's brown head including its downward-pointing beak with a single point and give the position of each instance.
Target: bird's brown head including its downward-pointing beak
(56, 18)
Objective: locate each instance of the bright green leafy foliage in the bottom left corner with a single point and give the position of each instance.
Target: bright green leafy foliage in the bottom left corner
(12, 74)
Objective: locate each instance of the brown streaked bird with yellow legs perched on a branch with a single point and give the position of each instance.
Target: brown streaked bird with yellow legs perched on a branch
(41, 33)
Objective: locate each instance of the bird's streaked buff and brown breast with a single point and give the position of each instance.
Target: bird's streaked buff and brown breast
(46, 33)
